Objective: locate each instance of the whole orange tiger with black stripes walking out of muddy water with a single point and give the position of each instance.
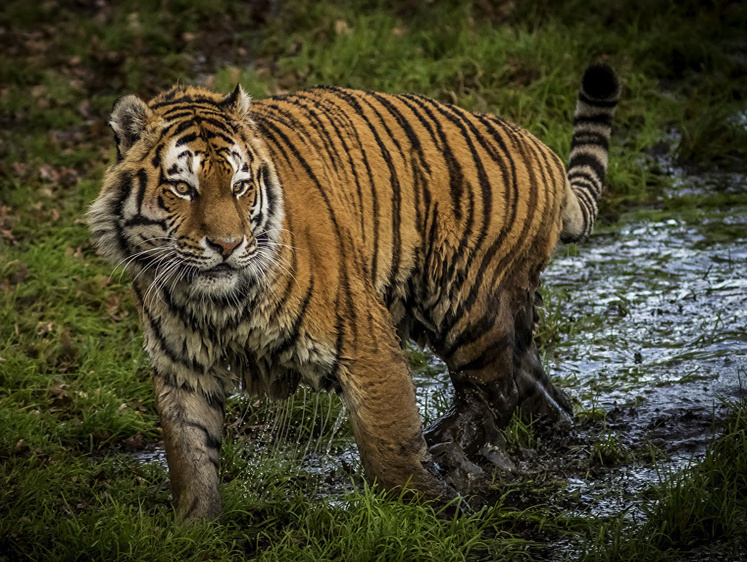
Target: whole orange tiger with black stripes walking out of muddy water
(305, 237)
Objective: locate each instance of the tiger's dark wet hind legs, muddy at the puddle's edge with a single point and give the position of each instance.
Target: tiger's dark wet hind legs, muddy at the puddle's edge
(494, 373)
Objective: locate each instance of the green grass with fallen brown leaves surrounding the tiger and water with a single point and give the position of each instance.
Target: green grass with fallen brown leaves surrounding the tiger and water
(75, 395)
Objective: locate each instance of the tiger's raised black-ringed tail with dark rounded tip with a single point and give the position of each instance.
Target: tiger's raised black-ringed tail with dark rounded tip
(592, 125)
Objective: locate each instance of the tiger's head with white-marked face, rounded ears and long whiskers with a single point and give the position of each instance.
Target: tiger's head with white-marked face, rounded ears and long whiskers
(193, 201)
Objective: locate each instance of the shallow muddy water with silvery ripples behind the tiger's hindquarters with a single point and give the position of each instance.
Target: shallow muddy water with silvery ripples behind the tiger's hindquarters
(659, 339)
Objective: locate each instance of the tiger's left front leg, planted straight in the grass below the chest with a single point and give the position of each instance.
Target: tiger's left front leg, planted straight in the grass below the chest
(192, 422)
